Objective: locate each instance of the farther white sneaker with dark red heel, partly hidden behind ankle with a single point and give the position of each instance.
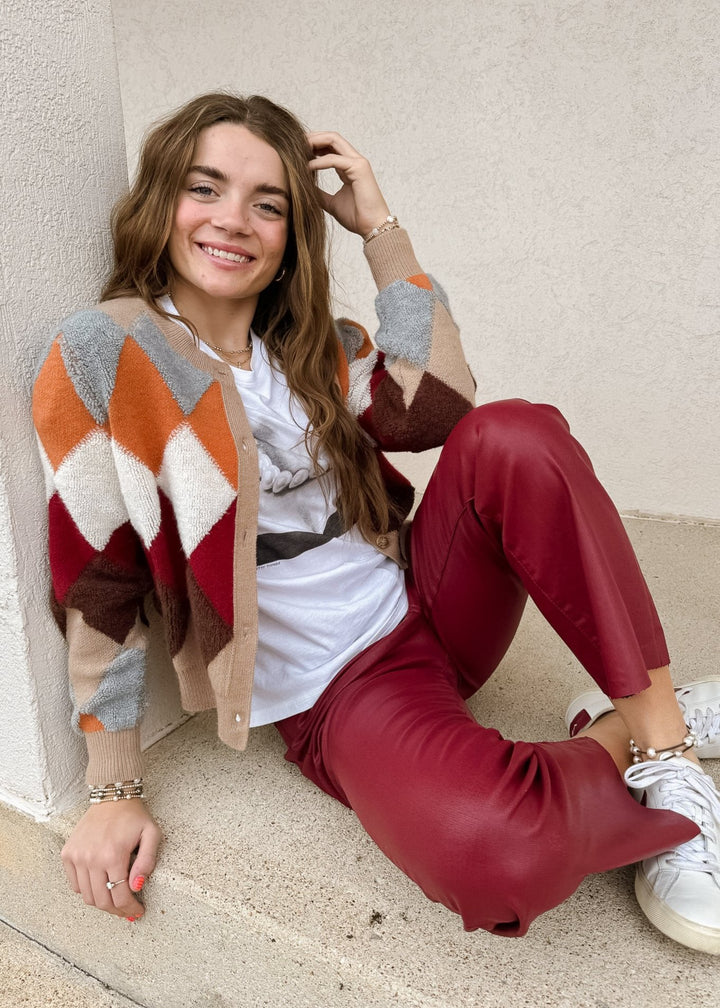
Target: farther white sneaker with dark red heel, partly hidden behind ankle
(699, 702)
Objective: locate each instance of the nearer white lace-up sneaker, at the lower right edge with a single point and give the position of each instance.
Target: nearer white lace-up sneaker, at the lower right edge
(679, 892)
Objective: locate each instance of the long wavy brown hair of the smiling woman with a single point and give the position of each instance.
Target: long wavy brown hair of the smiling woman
(294, 316)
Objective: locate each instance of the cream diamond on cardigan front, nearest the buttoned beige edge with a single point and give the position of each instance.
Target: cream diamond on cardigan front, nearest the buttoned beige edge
(200, 493)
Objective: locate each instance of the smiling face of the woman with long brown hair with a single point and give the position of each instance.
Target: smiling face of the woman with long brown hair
(231, 223)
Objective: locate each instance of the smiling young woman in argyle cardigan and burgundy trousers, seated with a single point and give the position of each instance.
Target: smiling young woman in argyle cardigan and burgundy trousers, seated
(211, 436)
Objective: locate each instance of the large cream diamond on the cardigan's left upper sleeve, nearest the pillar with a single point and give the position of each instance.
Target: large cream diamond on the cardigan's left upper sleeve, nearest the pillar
(85, 482)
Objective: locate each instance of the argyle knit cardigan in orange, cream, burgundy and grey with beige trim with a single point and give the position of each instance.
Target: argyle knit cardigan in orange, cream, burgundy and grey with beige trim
(153, 484)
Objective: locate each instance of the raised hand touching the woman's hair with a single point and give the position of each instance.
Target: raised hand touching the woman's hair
(359, 205)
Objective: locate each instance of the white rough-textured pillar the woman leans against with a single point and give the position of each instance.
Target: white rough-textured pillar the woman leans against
(63, 164)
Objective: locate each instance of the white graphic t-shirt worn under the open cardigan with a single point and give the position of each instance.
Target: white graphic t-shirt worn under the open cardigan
(323, 595)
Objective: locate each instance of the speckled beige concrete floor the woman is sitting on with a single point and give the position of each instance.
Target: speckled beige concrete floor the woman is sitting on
(269, 894)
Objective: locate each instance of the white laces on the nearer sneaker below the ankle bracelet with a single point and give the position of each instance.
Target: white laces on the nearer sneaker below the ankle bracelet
(692, 795)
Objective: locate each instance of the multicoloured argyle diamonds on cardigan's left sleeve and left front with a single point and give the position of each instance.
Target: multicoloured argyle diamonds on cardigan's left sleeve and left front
(143, 483)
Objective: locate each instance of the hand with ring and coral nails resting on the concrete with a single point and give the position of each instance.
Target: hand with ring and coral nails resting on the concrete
(100, 850)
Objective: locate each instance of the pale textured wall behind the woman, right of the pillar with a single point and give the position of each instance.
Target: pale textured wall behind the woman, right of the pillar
(557, 164)
